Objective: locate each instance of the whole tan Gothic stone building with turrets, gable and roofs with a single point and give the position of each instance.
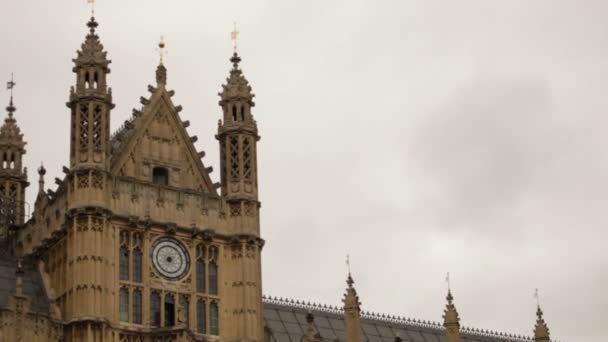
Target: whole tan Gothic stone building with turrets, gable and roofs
(137, 244)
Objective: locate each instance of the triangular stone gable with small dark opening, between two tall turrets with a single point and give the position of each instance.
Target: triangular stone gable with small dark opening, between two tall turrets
(159, 139)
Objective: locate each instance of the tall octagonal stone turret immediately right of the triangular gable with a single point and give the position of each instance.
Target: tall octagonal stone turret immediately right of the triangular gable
(238, 136)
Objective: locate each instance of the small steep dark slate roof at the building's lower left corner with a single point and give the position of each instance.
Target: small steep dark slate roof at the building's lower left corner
(32, 283)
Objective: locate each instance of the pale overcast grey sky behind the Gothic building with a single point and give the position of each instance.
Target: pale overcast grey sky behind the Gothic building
(420, 137)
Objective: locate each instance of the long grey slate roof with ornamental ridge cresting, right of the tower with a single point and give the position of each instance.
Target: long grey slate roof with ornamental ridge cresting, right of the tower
(285, 321)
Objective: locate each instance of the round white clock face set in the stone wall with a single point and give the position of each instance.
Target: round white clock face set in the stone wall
(170, 258)
